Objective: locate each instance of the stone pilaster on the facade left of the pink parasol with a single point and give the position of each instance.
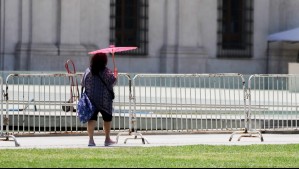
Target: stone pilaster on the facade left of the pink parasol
(36, 33)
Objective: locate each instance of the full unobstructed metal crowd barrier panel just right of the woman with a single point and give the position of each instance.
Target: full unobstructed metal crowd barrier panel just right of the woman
(195, 102)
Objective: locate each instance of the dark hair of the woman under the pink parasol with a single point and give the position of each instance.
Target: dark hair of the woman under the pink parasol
(98, 63)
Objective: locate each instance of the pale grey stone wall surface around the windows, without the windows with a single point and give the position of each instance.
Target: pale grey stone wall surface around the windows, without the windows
(40, 35)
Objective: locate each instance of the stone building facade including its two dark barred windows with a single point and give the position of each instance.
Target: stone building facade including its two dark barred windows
(173, 36)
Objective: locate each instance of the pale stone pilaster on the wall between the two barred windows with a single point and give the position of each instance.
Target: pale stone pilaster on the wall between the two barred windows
(183, 49)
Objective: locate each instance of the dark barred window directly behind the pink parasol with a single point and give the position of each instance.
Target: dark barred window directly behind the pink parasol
(129, 25)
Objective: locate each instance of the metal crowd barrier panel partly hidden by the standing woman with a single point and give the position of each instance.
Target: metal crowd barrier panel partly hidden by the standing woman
(47, 103)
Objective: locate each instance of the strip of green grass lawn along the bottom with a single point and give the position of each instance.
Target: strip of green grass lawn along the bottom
(256, 156)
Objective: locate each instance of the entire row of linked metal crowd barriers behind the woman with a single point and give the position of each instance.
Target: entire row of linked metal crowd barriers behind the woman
(40, 103)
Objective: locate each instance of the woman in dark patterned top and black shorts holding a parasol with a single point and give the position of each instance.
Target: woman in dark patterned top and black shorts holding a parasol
(98, 81)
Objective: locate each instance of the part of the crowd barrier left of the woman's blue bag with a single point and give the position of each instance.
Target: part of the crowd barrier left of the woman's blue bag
(42, 103)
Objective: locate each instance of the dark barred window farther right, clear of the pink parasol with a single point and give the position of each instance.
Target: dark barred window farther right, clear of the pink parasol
(235, 28)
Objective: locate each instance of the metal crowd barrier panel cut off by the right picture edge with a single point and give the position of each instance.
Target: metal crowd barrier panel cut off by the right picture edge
(274, 102)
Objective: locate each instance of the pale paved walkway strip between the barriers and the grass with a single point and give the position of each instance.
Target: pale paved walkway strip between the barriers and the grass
(154, 140)
